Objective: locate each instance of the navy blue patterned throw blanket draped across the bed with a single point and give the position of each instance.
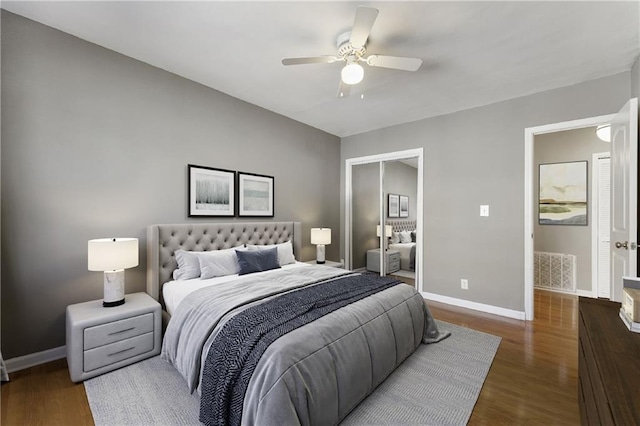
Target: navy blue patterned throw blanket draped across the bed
(237, 348)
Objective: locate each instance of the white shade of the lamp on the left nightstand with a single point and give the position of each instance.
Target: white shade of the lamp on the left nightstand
(110, 254)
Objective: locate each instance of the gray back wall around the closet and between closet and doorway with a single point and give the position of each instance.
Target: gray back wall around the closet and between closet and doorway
(476, 157)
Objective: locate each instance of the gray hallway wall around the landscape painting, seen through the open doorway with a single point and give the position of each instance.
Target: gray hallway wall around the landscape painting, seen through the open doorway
(572, 145)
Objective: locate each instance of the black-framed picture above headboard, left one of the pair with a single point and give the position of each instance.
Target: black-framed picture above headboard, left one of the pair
(211, 191)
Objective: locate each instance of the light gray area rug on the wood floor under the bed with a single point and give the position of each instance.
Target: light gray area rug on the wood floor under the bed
(437, 385)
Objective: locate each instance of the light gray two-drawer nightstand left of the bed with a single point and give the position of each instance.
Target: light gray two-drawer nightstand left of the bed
(101, 339)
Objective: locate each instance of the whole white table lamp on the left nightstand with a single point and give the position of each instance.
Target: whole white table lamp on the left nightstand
(113, 256)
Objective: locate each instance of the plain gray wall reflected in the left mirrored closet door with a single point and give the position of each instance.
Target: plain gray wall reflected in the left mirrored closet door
(365, 209)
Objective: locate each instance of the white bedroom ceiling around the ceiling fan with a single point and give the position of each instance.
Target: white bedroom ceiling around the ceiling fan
(474, 53)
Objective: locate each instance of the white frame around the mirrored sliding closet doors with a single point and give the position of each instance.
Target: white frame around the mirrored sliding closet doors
(381, 159)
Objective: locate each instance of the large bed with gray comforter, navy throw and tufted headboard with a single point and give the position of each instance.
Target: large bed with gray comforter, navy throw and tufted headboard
(313, 368)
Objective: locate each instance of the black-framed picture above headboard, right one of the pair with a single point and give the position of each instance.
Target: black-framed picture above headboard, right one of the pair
(255, 195)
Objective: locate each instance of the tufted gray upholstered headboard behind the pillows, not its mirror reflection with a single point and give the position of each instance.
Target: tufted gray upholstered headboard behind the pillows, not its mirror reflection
(164, 240)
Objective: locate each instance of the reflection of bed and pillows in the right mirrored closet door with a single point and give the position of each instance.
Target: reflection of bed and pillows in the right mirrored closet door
(403, 240)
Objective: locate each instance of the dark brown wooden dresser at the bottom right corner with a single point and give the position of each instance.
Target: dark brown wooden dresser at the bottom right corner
(609, 366)
